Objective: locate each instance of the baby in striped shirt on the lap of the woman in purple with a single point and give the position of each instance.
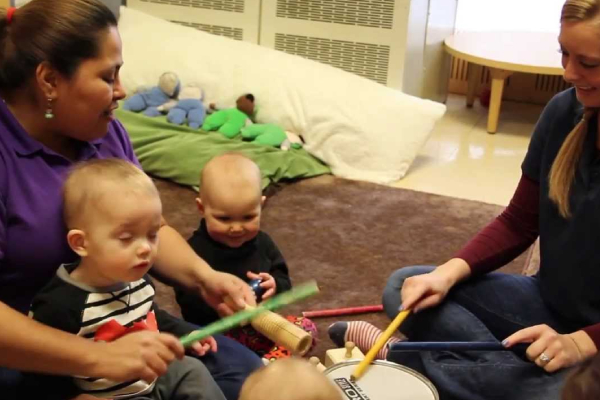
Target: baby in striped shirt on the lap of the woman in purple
(113, 212)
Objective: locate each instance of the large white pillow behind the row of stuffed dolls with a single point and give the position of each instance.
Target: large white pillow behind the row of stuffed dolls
(361, 129)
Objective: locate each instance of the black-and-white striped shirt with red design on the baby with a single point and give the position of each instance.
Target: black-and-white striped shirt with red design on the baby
(103, 314)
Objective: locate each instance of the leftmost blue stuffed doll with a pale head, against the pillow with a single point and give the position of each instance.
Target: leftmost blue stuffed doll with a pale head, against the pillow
(149, 100)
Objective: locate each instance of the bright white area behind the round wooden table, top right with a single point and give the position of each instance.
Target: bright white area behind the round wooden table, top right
(513, 15)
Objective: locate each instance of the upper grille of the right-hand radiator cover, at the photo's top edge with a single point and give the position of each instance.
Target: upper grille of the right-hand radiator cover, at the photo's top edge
(369, 13)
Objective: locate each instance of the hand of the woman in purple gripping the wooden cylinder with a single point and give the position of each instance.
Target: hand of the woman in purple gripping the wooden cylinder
(226, 293)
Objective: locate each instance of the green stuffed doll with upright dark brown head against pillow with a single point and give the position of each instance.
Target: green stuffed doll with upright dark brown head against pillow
(231, 121)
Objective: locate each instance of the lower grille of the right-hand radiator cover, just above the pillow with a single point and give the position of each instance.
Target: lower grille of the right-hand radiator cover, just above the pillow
(365, 59)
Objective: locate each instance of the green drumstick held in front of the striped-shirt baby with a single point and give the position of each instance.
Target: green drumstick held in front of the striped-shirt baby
(298, 293)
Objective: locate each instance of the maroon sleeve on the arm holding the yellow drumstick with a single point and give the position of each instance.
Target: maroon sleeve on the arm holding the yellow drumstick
(509, 235)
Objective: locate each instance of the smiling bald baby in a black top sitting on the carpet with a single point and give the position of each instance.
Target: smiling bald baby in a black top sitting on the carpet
(229, 237)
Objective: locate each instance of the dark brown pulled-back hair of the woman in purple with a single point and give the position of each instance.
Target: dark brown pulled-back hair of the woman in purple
(61, 32)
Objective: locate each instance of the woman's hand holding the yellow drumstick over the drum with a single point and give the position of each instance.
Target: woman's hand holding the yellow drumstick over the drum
(428, 290)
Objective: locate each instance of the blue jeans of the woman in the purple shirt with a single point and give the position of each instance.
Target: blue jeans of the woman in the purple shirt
(229, 367)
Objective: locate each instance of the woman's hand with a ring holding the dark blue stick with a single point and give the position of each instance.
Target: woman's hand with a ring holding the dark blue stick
(552, 351)
